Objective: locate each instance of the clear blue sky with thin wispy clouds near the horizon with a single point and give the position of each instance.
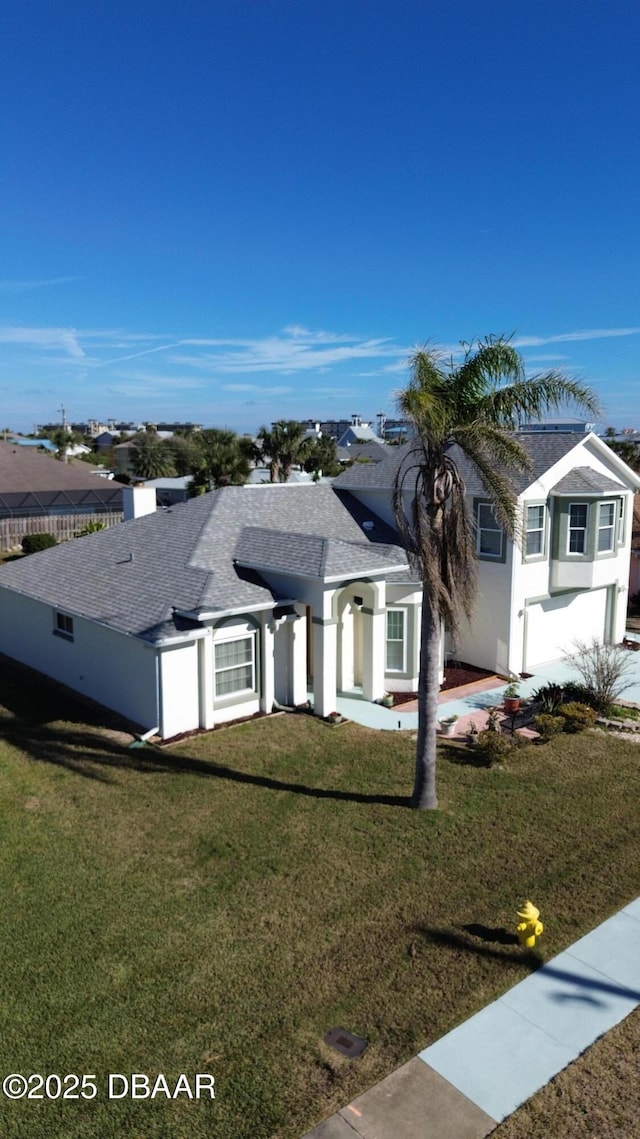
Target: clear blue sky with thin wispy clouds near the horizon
(232, 211)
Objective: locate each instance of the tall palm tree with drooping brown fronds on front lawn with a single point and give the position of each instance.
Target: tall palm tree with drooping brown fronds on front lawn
(471, 409)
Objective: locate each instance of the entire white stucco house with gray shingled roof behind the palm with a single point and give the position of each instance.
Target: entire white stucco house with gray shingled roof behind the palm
(224, 607)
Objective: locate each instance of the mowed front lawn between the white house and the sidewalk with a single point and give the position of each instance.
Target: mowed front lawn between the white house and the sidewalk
(219, 906)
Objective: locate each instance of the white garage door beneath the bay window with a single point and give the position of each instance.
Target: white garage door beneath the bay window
(554, 626)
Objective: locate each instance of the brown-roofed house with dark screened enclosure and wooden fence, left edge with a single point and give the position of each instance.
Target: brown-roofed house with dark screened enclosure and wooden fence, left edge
(40, 494)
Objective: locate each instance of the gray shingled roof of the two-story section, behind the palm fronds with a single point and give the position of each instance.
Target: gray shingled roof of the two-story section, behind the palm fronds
(545, 449)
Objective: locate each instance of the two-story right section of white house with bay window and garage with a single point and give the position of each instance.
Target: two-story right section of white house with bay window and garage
(569, 576)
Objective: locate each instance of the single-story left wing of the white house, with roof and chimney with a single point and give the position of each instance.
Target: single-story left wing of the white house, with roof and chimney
(214, 610)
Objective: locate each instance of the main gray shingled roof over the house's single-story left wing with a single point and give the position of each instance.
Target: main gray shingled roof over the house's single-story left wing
(134, 576)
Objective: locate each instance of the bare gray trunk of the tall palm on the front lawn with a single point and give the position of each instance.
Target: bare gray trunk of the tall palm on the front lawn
(424, 798)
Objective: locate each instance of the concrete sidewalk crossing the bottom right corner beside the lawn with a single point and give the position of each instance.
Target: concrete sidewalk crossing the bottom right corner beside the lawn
(477, 1076)
